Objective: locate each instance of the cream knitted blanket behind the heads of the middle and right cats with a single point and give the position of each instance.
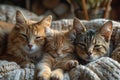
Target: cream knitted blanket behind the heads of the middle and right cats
(65, 24)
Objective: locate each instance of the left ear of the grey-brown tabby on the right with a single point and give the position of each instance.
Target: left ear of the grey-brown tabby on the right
(78, 26)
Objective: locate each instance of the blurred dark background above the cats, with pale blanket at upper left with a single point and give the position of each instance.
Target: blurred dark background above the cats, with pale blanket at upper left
(60, 9)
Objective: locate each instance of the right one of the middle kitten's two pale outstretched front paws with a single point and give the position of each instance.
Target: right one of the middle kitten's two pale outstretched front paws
(57, 74)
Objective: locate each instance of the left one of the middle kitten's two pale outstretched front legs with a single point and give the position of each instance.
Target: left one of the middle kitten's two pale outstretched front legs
(43, 72)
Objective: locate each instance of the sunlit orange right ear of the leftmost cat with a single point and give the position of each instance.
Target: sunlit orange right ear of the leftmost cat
(46, 22)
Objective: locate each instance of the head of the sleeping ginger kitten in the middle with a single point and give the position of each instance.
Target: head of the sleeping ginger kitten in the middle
(59, 43)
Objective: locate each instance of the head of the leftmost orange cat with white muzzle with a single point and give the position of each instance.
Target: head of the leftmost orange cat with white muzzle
(29, 35)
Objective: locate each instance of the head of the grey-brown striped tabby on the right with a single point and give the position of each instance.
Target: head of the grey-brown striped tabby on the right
(92, 44)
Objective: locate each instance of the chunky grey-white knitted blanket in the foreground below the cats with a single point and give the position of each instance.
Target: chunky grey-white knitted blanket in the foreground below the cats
(104, 68)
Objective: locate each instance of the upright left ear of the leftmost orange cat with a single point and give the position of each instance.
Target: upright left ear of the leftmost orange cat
(20, 18)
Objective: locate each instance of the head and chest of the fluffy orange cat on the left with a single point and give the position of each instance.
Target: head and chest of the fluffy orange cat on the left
(26, 40)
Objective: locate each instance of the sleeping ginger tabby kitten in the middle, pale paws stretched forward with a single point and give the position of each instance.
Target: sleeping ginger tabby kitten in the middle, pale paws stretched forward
(59, 55)
